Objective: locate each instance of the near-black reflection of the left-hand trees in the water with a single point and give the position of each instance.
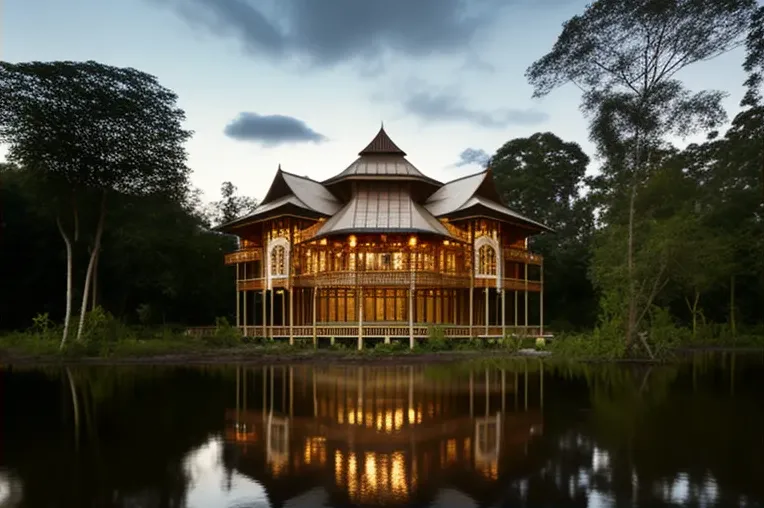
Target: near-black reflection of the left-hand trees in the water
(136, 425)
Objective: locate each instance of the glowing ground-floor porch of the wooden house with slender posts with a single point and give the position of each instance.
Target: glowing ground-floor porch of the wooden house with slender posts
(386, 313)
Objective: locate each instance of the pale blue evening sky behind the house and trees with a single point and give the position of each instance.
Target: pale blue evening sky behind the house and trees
(307, 83)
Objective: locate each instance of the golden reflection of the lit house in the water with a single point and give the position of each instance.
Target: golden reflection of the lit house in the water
(378, 435)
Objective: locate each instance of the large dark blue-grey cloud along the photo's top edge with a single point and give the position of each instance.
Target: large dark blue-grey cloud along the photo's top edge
(325, 32)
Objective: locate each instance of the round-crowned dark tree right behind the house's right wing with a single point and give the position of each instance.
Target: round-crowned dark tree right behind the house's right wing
(542, 177)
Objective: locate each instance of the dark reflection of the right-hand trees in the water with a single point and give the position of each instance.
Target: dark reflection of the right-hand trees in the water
(651, 437)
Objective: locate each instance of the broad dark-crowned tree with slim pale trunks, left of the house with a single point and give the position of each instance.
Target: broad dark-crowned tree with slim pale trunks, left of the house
(86, 130)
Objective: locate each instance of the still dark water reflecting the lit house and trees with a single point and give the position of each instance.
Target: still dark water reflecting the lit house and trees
(521, 433)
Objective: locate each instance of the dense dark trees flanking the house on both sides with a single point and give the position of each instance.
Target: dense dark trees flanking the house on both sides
(653, 243)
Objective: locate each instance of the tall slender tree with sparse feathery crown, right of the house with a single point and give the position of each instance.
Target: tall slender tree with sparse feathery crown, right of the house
(625, 56)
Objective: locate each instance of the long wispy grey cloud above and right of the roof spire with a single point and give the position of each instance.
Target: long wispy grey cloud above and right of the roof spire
(450, 107)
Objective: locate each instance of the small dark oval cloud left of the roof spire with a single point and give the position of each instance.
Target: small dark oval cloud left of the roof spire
(271, 130)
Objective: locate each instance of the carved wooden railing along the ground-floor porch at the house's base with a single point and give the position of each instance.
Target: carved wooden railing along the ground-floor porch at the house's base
(380, 330)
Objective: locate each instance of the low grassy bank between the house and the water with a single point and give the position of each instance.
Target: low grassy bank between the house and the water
(107, 338)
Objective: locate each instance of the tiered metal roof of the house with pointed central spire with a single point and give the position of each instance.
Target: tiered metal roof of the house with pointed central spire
(380, 199)
